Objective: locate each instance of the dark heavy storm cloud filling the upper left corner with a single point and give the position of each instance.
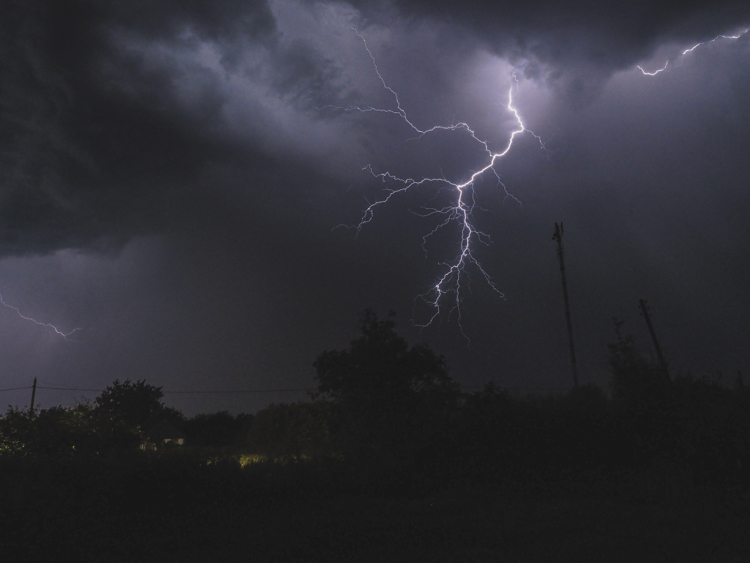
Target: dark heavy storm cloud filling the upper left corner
(95, 141)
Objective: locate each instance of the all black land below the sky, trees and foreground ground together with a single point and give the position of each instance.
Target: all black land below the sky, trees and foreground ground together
(389, 462)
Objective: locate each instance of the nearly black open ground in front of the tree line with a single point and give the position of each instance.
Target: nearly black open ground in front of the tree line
(149, 508)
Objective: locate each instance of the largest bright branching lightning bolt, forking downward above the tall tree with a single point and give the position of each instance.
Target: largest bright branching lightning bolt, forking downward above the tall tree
(452, 281)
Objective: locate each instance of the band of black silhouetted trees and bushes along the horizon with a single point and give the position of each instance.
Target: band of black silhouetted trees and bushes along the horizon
(387, 408)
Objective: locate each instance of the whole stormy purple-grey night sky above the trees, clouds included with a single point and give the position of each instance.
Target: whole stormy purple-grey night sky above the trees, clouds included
(174, 177)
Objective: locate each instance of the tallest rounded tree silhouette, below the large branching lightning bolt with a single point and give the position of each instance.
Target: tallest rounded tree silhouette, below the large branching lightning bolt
(389, 397)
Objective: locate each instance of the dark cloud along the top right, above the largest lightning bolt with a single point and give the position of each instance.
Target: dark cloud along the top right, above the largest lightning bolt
(574, 45)
